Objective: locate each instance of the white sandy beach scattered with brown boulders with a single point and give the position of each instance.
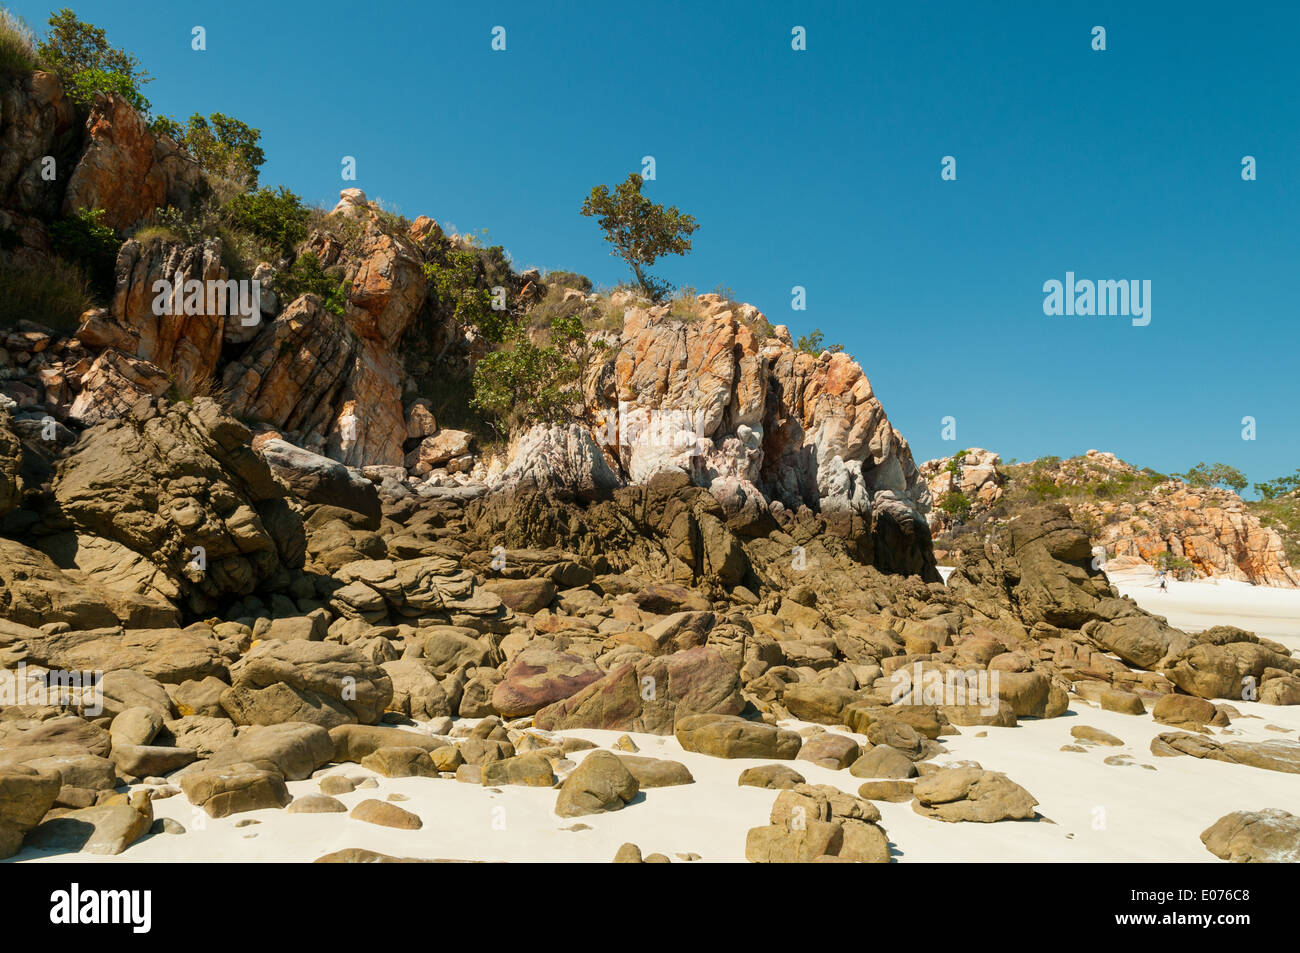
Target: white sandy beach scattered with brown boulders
(1145, 809)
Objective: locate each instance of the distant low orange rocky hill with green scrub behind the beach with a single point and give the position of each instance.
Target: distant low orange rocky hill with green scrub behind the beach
(1206, 531)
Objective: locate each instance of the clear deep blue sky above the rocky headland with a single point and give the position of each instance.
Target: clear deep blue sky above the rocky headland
(822, 168)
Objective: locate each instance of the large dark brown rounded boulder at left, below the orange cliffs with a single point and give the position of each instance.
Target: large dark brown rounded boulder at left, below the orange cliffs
(168, 486)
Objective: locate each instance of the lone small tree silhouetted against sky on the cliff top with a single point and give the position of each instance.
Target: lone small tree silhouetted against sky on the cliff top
(640, 231)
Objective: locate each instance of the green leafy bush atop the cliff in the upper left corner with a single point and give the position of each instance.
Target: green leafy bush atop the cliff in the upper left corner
(83, 57)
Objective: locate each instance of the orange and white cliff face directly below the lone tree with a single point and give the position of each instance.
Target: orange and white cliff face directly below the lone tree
(752, 421)
